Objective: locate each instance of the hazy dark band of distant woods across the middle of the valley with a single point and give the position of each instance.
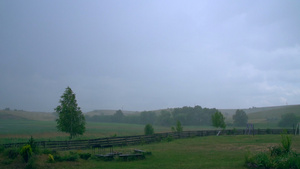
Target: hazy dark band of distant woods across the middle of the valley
(190, 116)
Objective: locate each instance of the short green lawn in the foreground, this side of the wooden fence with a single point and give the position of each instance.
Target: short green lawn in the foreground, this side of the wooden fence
(200, 152)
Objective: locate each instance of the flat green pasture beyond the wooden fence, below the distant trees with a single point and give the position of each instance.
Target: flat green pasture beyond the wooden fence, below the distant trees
(20, 130)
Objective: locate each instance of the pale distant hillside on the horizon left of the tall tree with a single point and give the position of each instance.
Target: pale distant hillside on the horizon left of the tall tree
(16, 115)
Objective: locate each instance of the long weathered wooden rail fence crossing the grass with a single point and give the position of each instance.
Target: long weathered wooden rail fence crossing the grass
(141, 139)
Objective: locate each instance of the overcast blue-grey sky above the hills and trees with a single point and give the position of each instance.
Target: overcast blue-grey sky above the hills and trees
(146, 55)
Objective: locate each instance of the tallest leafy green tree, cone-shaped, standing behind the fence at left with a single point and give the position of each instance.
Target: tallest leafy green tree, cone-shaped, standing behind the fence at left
(71, 120)
